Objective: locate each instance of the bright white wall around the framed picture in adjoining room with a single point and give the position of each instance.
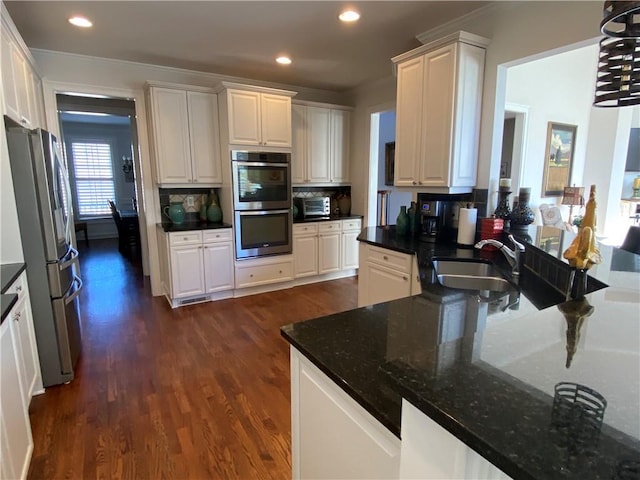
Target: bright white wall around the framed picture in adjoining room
(556, 89)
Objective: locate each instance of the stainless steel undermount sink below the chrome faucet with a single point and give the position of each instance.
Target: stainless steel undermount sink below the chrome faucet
(469, 274)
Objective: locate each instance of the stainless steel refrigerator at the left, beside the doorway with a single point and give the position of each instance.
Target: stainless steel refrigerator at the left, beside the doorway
(43, 199)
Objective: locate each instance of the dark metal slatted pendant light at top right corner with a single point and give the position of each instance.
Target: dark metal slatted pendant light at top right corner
(618, 77)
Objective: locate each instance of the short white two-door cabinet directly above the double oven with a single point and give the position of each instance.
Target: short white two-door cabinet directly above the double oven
(256, 116)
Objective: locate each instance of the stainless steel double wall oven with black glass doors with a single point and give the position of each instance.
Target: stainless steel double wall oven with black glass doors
(262, 203)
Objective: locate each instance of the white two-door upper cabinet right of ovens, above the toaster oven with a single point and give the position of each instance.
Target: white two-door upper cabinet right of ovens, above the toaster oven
(320, 153)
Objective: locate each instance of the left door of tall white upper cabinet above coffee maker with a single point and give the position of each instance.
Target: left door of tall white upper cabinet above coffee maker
(409, 121)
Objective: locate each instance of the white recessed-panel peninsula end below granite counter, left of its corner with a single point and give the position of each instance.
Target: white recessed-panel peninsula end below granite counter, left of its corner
(332, 436)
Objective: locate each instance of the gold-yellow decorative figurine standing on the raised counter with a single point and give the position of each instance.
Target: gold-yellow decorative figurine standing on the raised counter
(583, 252)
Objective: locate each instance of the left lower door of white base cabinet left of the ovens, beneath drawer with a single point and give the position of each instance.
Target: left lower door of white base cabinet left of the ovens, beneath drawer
(187, 275)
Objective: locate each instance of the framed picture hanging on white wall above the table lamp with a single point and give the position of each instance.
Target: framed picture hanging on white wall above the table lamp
(558, 161)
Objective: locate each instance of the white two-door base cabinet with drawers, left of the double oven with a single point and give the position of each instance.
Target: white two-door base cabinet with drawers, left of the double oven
(196, 265)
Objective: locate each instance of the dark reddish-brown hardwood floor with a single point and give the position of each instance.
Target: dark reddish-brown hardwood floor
(197, 392)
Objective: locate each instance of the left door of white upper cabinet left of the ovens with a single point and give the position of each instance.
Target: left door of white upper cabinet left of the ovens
(171, 132)
